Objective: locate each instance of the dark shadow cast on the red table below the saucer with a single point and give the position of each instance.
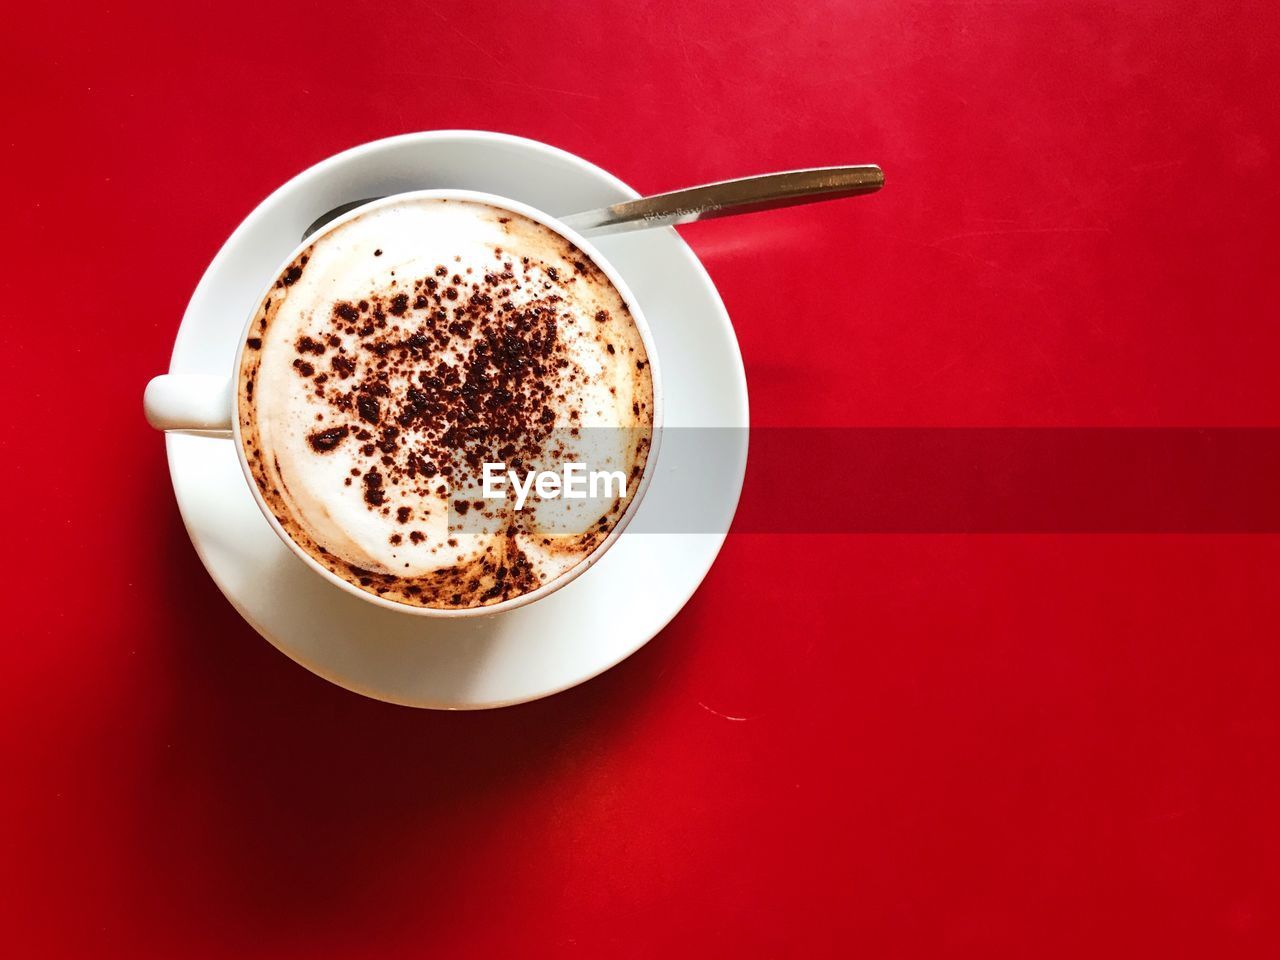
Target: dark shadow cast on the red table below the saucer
(289, 803)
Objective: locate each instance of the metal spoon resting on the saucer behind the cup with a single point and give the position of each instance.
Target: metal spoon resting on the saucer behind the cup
(746, 195)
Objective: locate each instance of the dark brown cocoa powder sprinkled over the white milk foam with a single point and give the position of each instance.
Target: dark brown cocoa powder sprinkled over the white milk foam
(437, 376)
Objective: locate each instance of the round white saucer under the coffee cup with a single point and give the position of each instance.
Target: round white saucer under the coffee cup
(556, 643)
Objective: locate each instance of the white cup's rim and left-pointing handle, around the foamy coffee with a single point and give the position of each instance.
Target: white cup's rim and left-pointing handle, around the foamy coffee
(204, 404)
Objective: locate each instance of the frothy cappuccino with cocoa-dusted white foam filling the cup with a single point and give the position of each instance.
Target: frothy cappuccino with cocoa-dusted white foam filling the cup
(403, 351)
